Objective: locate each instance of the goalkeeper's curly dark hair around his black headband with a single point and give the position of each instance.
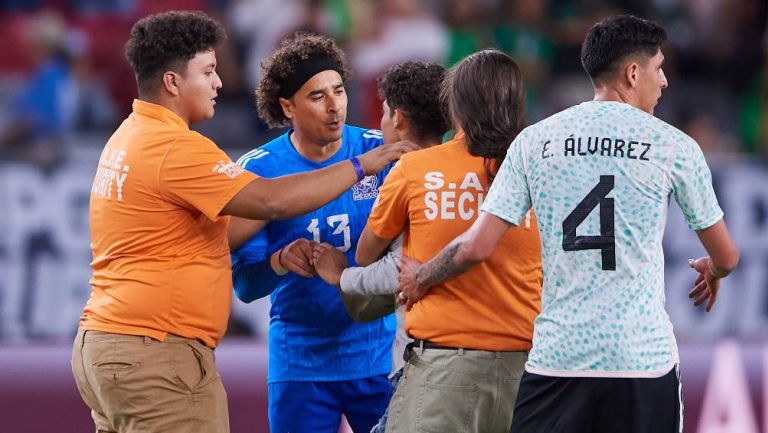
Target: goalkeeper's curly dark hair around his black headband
(282, 63)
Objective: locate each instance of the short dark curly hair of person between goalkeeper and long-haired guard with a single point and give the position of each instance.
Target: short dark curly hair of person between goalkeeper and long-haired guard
(414, 89)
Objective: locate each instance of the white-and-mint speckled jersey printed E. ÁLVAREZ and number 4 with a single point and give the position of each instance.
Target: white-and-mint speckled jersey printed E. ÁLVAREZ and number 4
(599, 176)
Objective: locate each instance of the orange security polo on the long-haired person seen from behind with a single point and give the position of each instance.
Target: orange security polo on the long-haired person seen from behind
(433, 195)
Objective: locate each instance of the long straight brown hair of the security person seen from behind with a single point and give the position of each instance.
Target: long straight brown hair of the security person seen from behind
(486, 99)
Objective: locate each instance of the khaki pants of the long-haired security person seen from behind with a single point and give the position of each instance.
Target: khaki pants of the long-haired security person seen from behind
(444, 391)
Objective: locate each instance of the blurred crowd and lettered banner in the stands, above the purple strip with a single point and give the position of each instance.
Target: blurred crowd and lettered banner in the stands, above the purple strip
(65, 85)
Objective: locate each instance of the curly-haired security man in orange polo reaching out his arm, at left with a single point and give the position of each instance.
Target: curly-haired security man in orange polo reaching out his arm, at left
(143, 356)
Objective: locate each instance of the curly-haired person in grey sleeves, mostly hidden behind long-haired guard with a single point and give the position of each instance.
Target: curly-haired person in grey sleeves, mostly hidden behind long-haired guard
(411, 110)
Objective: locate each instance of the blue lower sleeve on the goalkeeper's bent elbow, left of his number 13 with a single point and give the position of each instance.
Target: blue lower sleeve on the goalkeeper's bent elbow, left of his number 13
(252, 275)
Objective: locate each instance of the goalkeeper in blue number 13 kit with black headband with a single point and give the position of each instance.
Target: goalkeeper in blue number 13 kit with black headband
(322, 364)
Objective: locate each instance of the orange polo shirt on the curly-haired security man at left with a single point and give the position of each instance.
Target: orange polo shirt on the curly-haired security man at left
(160, 256)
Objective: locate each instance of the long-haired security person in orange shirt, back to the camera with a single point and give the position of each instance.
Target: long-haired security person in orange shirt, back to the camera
(472, 333)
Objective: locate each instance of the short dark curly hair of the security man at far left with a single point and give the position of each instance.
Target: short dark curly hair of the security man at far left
(167, 41)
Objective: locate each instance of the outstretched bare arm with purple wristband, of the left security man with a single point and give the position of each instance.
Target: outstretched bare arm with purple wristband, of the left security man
(289, 196)
